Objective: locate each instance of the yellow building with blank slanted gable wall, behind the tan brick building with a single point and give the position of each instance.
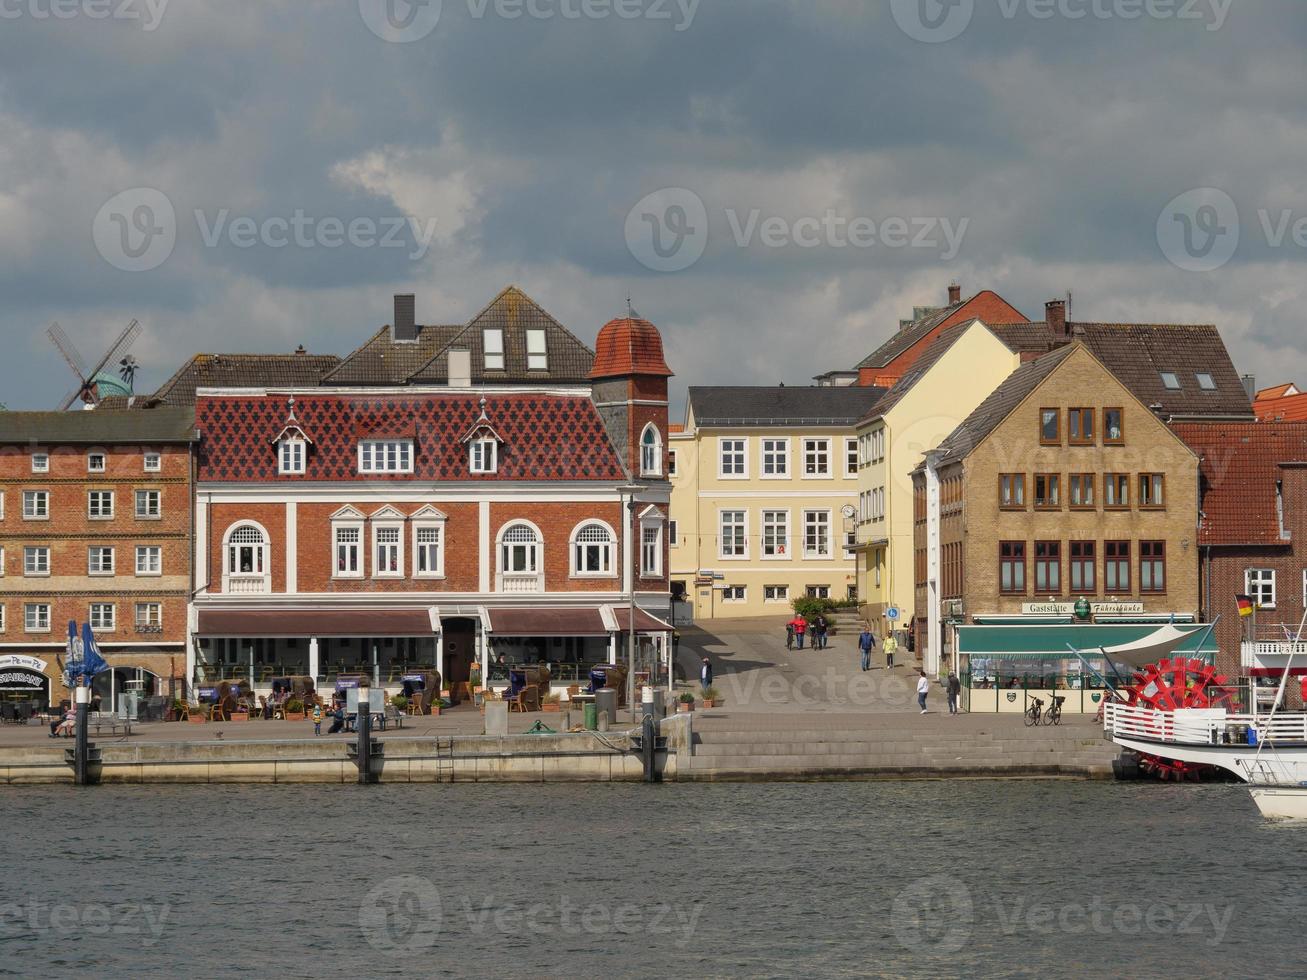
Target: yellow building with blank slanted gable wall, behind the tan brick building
(957, 372)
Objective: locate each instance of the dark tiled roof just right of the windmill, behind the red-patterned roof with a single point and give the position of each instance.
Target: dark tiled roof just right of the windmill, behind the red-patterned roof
(232, 372)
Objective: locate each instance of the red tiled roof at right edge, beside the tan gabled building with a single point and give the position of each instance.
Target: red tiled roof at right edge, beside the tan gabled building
(1240, 467)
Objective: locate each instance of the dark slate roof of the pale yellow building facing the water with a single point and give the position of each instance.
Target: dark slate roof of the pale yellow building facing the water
(781, 406)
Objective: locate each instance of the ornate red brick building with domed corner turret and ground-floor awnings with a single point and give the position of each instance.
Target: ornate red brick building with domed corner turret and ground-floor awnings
(378, 530)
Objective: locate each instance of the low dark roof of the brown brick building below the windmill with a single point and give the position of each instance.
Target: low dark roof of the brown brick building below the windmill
(99, 427)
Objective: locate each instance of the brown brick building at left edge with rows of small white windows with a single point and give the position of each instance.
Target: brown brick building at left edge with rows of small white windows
(95, 527)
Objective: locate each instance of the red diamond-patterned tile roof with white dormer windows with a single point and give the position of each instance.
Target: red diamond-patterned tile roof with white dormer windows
(546, 437)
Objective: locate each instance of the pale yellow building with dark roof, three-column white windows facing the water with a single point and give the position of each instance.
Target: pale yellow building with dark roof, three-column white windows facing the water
(764, 498)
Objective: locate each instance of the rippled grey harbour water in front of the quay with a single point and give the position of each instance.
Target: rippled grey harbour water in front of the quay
(993, 879)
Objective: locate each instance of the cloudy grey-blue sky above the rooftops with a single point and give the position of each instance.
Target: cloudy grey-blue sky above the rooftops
(774, 184)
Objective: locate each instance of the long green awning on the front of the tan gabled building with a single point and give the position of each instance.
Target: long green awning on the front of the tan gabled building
(1051, 642)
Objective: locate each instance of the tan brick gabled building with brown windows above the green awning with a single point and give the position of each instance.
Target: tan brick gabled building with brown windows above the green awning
(1062, 485)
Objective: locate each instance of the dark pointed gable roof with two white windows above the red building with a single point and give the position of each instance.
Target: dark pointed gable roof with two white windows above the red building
(514, 313)
